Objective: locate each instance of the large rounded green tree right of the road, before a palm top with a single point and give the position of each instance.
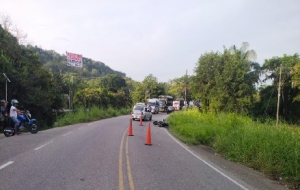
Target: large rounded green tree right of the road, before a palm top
(226, 82)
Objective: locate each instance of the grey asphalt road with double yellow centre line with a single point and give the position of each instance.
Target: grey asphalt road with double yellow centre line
(101, 155)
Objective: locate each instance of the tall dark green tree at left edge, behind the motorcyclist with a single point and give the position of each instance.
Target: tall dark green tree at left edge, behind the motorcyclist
(32, 85)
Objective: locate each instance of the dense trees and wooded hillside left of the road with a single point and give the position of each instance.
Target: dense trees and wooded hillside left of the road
(41, 82)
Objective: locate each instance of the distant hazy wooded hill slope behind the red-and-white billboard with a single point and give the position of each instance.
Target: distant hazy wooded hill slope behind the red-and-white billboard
(58, 63)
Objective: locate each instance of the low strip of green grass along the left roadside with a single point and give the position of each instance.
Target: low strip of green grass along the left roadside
(93, 114)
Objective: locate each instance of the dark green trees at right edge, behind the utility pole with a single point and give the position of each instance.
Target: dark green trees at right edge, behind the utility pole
(289, 93)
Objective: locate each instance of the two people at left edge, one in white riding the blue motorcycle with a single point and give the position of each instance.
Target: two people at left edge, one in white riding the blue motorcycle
(13, 113)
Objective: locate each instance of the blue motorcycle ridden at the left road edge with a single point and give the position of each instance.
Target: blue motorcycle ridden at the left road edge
(26, 122)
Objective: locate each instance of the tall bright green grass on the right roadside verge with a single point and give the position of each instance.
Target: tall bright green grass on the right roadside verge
(273, 150)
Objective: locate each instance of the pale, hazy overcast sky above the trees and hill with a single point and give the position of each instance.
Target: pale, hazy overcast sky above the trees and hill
(164, 38)
